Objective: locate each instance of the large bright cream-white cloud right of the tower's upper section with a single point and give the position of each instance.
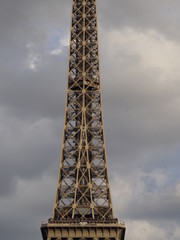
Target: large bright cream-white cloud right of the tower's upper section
(139, 53)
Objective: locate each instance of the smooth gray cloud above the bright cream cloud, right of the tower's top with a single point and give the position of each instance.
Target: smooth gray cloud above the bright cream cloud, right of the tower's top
(161, 16)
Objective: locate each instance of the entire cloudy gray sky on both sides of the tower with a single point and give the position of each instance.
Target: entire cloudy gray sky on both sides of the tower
(140, 75)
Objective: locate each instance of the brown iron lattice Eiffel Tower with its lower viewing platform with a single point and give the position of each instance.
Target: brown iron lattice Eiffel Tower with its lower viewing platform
(83, 206)
